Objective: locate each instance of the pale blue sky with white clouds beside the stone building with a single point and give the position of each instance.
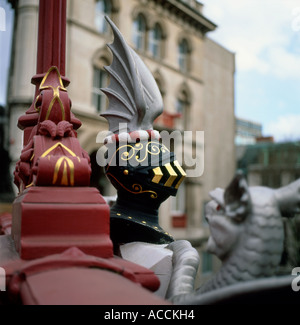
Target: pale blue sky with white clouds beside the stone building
(265, 37)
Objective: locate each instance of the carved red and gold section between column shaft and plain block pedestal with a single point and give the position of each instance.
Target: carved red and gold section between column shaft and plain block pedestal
(53, 155)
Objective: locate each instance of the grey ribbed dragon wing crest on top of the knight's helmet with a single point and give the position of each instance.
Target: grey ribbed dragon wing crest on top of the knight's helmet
(134, 97)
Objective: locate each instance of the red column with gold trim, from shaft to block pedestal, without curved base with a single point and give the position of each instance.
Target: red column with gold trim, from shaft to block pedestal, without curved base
(56, 209)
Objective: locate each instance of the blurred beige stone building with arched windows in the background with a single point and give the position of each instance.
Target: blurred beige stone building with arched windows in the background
(195, 76)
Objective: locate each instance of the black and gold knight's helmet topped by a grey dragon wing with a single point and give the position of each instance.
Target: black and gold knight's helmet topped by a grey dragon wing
(141, 168)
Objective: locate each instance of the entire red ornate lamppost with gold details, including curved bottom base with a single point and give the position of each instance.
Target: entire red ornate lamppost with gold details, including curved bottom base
(60, 225)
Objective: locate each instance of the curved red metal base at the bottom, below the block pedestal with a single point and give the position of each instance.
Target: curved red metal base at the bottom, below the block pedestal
(74, 278)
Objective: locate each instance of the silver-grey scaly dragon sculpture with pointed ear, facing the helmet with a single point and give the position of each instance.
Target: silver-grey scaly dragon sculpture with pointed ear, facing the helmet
(247, 234)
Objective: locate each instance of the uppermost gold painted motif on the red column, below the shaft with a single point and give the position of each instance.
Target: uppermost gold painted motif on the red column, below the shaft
(56, 96)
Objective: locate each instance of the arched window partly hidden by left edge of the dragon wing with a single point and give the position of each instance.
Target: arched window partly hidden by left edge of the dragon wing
(100, 80)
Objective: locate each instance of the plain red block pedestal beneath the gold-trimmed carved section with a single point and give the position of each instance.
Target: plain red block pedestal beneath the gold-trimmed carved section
(49, 220)
